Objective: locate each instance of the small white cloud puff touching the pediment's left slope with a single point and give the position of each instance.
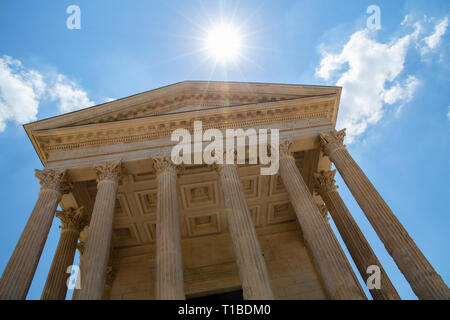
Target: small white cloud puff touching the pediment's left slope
(69, 96)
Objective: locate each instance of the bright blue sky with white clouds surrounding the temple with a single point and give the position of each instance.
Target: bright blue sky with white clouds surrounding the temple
(395, 103)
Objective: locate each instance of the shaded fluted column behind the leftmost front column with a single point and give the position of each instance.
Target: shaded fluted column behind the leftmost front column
(72, 222)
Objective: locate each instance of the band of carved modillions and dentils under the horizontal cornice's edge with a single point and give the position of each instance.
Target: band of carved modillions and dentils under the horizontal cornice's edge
(267, 114)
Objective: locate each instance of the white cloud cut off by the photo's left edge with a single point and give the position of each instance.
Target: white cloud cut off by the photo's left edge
(20, 91)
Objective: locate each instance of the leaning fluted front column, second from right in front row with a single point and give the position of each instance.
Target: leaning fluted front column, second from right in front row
(337, 275)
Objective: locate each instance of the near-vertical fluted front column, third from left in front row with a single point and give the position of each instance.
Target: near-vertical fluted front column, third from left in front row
(169, 262)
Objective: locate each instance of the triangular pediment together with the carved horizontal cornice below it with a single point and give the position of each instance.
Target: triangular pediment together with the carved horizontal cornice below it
(156, 113)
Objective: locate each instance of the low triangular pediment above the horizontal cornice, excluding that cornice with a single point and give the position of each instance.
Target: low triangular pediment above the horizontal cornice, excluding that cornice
(183, 97)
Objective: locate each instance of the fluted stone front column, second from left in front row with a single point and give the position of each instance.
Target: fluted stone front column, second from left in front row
(96, 253)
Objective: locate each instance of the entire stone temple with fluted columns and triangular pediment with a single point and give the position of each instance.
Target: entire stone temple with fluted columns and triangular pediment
(146, 228)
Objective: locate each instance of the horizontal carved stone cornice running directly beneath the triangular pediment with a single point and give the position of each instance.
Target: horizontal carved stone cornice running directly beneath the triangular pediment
(161, 126)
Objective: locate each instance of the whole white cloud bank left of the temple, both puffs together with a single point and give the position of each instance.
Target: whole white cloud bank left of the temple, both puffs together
(22, 90)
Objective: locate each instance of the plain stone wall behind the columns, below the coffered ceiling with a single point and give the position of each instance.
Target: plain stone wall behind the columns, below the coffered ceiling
(209, 267)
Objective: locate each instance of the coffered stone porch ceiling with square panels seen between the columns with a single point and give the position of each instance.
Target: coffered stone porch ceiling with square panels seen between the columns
(201, 206)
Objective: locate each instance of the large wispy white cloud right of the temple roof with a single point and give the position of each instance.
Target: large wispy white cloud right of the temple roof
(370, 73)
